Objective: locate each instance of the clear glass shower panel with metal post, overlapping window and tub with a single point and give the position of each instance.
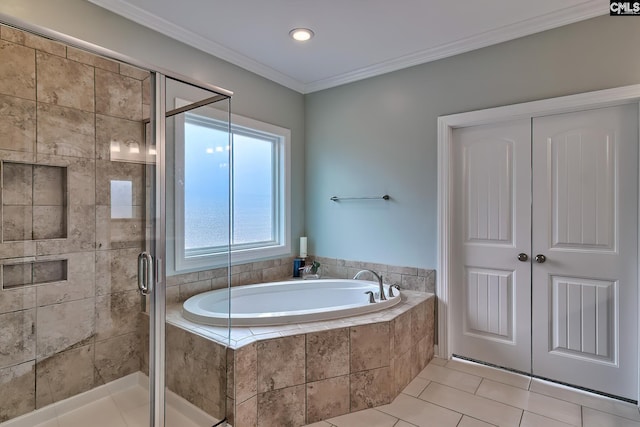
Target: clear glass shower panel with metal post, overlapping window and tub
(188, 219)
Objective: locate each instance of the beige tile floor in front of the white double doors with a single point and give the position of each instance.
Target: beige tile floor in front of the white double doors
(460, 394)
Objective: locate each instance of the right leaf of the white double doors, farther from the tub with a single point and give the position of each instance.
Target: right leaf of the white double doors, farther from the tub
(585, 223)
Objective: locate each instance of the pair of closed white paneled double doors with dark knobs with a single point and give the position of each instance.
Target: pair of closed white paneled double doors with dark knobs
(545, 247)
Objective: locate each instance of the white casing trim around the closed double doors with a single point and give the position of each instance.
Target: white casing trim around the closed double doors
(447, 259)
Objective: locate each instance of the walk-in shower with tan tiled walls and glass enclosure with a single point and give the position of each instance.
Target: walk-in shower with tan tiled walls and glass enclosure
(89, 171)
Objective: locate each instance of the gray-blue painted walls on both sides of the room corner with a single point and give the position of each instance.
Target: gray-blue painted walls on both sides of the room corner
(378, 135)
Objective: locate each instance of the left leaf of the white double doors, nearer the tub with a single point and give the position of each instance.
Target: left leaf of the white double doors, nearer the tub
(492, 207)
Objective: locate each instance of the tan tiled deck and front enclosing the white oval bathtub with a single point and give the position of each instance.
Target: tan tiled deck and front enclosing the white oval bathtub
(296, 374)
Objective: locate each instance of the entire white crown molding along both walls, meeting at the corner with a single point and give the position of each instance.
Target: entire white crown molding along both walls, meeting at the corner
(586, 10)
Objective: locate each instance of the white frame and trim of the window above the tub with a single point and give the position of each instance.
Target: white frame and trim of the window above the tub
(241, 253)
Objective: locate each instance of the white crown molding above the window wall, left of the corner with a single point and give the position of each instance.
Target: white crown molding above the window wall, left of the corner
(187, 37)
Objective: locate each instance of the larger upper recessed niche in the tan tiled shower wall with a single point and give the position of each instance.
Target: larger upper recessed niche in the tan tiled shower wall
(34, 202)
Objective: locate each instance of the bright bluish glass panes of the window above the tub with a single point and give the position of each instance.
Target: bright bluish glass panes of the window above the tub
(207, 188)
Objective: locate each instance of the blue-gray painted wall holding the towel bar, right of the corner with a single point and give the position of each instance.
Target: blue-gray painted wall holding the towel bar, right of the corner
(379, 135)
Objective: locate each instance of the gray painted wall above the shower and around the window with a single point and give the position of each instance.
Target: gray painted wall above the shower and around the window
(254, 96)
